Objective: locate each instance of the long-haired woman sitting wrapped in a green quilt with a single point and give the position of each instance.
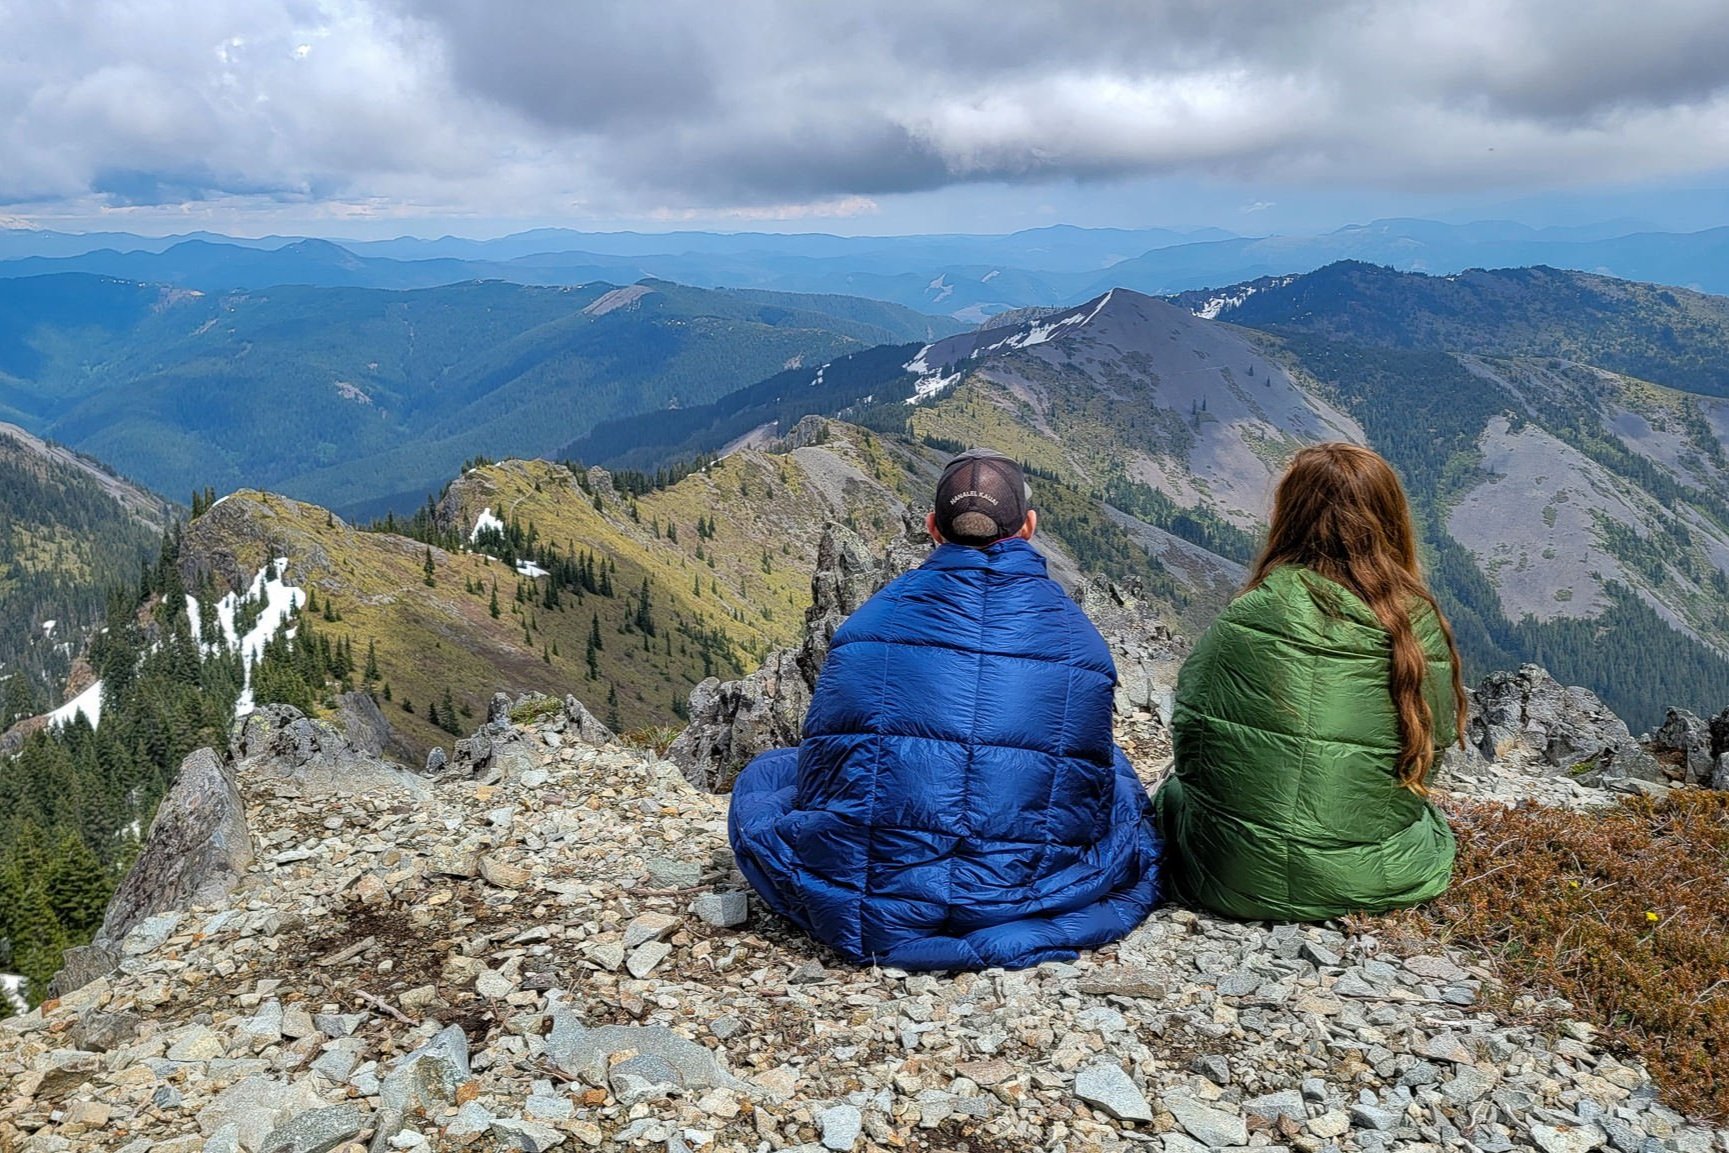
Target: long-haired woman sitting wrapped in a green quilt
(1313, 711)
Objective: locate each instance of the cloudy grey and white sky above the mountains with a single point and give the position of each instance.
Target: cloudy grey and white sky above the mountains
(483, 117)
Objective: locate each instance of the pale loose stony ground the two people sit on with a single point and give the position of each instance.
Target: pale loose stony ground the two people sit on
(549, 948)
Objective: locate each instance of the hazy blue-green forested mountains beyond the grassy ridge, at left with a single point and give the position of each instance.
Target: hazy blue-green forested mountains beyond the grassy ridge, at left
(355, 397)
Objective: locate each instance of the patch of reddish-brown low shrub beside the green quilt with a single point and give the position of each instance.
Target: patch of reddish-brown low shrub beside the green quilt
(1623, 912)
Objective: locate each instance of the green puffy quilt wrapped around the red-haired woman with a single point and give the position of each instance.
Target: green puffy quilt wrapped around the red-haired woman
(1286, 803)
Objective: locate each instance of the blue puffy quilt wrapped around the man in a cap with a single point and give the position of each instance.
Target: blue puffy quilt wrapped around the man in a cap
(957, 801)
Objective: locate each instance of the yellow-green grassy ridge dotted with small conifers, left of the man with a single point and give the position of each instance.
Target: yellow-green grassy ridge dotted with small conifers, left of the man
(532, 576)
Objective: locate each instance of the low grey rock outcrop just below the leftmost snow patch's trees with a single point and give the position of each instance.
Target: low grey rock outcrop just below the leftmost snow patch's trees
(281, 744)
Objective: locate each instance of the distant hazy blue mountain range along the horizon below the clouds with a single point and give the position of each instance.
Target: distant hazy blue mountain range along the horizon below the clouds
(959, 276)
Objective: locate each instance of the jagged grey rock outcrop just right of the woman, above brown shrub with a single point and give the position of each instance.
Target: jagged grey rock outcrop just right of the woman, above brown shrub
(1566, 725)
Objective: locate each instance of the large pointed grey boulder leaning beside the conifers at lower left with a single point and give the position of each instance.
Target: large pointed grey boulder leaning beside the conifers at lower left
(196, 853)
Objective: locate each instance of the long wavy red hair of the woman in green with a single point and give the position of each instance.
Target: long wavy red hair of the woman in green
(1341, 511)
